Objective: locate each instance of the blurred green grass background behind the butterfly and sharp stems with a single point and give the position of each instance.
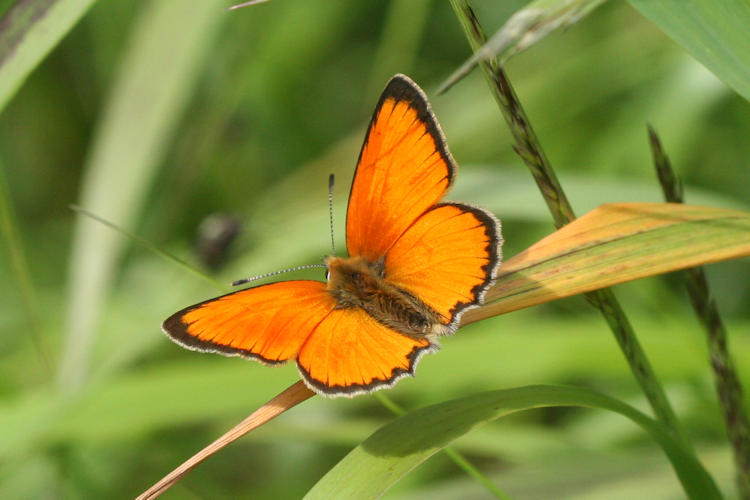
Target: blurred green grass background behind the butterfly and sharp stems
(156, 115)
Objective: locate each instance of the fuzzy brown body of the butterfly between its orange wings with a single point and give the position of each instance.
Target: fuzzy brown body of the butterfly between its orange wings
(356, 282)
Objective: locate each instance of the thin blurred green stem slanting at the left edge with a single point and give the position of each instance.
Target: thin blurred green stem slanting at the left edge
(31, 309)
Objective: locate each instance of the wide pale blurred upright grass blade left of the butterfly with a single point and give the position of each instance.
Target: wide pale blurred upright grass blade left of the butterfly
(155, 80)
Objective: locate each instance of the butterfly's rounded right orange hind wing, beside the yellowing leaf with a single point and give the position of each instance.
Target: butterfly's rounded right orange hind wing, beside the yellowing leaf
(447, 258)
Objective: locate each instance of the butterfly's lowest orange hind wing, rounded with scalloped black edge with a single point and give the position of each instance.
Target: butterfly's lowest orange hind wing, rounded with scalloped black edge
(351, 353)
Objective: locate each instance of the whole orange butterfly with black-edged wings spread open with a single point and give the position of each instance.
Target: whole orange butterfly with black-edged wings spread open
(415, 264)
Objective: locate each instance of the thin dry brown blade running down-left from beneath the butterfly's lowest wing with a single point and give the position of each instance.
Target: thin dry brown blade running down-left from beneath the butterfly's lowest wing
(292, 396)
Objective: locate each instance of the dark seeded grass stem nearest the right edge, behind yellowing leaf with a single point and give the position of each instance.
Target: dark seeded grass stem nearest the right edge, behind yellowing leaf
(728, 385)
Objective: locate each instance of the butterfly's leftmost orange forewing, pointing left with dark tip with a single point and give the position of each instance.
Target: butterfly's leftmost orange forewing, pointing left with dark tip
(268, 323)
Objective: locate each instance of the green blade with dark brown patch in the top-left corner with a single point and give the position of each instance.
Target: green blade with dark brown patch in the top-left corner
(28, 32)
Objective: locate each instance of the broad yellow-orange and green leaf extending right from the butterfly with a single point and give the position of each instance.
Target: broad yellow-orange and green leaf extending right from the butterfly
(613, 244)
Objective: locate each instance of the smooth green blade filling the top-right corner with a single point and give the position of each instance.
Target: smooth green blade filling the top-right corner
(715, 33)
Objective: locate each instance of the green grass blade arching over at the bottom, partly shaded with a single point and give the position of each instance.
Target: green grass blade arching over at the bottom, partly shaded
(386, 456)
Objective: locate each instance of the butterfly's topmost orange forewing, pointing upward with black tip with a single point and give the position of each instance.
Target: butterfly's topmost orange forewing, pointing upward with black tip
(404, 168)
